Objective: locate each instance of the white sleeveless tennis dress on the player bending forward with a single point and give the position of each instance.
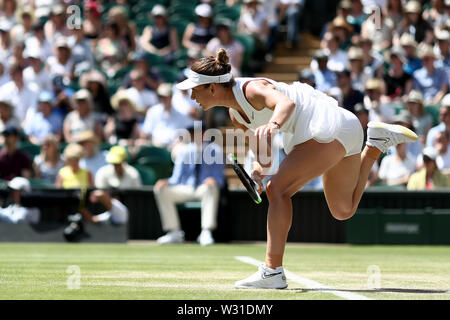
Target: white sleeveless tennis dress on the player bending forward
(316, 116)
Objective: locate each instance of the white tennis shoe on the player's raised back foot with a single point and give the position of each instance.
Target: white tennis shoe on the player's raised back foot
(383, 136)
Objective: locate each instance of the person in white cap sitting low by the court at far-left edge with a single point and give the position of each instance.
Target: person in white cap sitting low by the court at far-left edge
(15, 212)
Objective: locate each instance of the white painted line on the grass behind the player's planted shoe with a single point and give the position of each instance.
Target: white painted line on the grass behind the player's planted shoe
(307, 282)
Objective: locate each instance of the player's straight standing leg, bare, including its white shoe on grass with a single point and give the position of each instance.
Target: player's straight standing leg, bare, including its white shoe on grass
(304, 163)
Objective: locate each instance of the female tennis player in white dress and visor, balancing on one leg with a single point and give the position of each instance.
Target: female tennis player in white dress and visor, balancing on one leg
(319, 138)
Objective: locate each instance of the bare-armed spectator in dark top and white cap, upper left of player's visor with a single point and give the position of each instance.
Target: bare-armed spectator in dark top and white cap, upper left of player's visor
(160, 38)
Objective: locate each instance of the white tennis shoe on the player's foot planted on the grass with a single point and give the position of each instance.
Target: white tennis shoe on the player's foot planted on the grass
(264, 278)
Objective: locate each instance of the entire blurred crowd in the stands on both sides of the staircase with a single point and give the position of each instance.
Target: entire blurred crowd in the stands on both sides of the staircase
(105, 77)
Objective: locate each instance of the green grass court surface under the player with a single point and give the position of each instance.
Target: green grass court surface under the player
(137, 271)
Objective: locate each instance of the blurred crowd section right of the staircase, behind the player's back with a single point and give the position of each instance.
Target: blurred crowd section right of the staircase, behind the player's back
(389, 61)
